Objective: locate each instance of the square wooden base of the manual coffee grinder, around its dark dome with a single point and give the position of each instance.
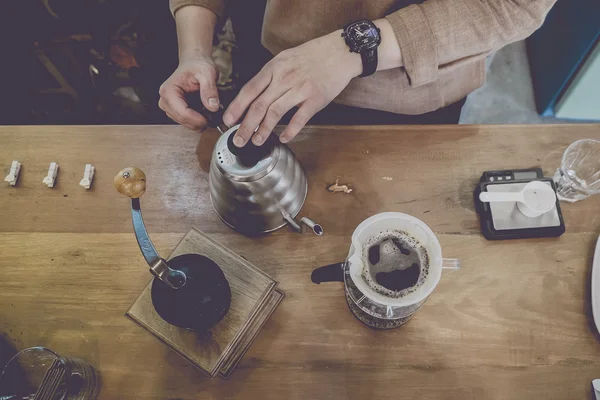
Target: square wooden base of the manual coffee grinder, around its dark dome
(250, 289)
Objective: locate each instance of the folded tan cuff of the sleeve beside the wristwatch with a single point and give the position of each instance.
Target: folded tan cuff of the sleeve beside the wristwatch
(417, 44)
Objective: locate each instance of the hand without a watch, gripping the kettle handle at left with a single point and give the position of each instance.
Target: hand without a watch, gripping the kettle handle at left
(192, 75)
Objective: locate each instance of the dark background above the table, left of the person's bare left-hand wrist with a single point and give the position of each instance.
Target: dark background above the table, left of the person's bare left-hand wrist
(84, 61)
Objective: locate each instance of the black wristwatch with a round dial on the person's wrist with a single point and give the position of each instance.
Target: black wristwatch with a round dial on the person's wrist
(363, 37)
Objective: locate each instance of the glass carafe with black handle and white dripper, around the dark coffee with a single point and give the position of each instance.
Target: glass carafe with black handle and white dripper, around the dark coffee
(370, 306)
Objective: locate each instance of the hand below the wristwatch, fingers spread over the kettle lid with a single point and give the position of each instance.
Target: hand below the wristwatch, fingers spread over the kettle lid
(309, 76)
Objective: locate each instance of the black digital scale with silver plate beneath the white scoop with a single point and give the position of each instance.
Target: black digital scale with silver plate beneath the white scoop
(501, 221)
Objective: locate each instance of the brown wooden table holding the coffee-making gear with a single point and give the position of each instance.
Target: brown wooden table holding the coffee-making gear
(514, 323)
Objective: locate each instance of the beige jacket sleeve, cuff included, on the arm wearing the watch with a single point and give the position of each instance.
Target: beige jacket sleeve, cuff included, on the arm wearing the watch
(442, 32)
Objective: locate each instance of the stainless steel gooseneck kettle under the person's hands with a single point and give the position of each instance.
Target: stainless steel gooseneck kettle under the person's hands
(256, 189)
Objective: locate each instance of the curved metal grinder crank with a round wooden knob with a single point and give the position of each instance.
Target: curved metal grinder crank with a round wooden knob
(131, 182)
